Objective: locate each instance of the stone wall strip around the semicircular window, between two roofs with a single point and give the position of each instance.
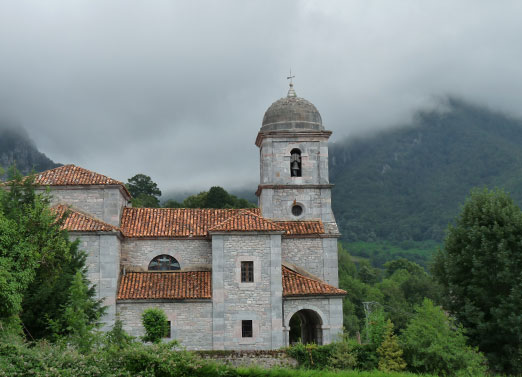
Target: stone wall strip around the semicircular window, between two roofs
(139, 252)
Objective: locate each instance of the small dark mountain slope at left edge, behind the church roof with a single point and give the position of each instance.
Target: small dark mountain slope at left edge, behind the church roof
(17, 147)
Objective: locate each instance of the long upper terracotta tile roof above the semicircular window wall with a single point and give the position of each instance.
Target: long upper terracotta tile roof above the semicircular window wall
(173, 222)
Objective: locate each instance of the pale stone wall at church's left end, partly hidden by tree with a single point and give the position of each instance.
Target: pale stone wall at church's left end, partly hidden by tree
(103, 267)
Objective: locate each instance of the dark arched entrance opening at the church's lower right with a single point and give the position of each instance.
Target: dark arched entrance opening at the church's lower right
(306, 327)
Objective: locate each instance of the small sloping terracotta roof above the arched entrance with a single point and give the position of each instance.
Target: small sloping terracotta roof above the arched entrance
(295, 284)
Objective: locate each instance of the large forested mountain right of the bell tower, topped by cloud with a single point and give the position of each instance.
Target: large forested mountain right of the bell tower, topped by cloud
(409, 182)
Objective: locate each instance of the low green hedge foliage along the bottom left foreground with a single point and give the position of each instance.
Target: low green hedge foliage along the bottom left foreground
(164, 360)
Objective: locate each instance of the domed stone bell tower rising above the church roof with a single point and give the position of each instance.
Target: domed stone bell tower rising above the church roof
(293, 144)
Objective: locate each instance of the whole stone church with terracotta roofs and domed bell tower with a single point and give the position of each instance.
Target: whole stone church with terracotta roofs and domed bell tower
(246, 279)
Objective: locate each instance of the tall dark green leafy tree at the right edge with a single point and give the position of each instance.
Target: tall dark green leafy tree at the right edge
(480, 271)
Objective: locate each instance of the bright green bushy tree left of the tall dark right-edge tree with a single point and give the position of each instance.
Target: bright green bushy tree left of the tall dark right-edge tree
(432, 343)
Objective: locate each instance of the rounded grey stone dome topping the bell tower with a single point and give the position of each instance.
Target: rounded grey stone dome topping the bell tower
(292, 113)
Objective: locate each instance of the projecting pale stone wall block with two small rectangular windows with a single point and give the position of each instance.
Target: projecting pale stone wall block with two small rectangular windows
(235, 301)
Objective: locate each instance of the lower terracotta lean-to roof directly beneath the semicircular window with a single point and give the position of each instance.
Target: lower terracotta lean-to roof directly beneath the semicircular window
(165, 285)
